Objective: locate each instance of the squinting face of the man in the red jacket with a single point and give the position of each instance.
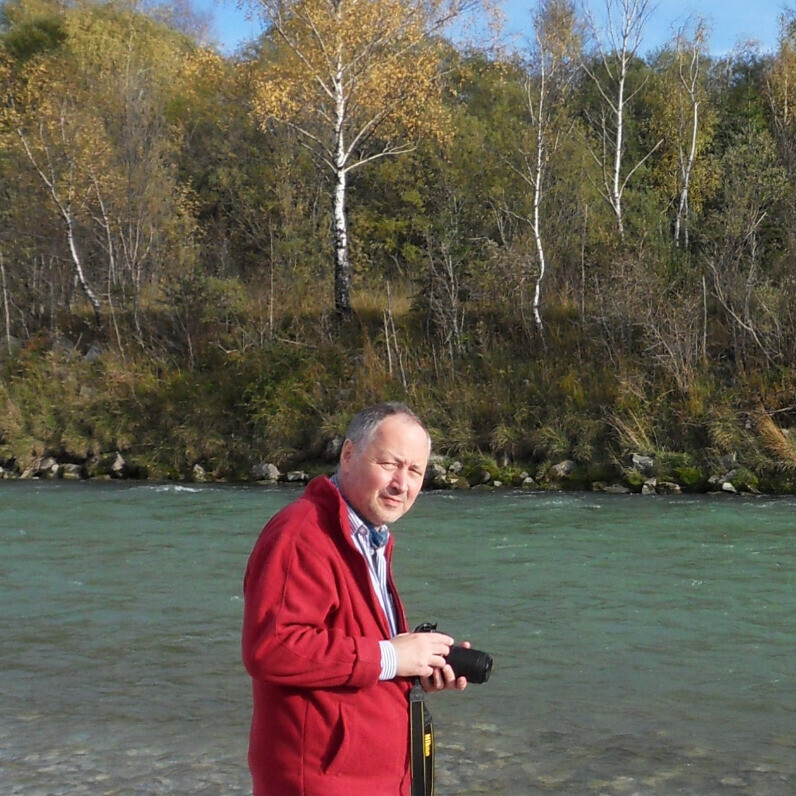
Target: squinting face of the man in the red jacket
(382, 479)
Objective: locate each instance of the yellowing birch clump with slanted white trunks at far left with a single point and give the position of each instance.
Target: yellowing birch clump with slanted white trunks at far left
(87, 117)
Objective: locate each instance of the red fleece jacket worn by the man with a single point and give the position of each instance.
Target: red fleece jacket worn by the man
(323, 723)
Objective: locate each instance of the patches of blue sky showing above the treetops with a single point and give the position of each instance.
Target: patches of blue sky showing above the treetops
(730, 21)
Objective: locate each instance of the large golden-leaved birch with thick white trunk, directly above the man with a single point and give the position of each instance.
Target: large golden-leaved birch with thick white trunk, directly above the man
(358, 80)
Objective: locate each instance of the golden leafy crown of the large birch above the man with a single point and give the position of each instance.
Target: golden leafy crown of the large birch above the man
(356, 66)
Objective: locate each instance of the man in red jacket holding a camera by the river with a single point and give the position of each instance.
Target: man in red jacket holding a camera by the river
(324, 633)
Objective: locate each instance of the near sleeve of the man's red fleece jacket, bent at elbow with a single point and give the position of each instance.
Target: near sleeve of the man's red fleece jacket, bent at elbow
(292, 631)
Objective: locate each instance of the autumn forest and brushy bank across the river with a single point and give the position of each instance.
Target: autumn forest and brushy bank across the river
(578, 252)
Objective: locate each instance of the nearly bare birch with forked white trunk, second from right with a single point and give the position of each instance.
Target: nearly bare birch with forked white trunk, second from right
(617, 47)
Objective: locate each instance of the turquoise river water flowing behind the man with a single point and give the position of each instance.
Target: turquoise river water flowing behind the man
(642, 645)
